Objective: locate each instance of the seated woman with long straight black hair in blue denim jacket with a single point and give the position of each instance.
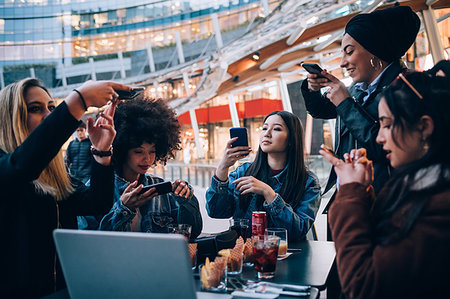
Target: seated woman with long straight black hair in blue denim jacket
(277, 181)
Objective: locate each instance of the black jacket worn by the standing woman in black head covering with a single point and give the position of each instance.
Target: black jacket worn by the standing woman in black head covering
(356, 124)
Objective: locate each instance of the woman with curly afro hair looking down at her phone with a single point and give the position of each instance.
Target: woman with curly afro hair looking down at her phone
(148, 133)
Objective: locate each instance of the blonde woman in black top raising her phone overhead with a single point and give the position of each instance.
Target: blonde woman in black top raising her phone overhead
(38, 194)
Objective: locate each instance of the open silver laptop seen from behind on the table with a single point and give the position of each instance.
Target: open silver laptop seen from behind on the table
(99, 264)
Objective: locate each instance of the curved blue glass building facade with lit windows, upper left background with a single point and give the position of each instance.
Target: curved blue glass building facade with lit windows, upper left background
(41, 31)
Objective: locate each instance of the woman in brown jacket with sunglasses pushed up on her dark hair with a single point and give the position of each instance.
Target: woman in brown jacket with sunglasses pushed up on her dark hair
(397, 245)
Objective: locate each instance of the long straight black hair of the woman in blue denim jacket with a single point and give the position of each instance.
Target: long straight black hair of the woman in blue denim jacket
(293, 188)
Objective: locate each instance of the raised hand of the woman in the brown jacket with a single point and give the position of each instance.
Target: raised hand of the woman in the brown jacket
(353, 170)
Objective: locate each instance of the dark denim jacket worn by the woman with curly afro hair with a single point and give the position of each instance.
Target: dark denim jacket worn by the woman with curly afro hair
(180, 210)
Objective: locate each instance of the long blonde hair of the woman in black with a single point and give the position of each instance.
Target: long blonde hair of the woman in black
(54, 179)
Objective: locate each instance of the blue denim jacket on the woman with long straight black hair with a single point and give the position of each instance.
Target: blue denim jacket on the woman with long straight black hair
(222, 201)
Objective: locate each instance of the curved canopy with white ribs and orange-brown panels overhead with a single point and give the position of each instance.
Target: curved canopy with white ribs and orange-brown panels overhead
(295, 32)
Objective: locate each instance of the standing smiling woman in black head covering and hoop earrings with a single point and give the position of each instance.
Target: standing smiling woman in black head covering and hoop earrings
(371, 50)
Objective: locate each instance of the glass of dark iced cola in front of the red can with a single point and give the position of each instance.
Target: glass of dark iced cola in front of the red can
(265, 252)
